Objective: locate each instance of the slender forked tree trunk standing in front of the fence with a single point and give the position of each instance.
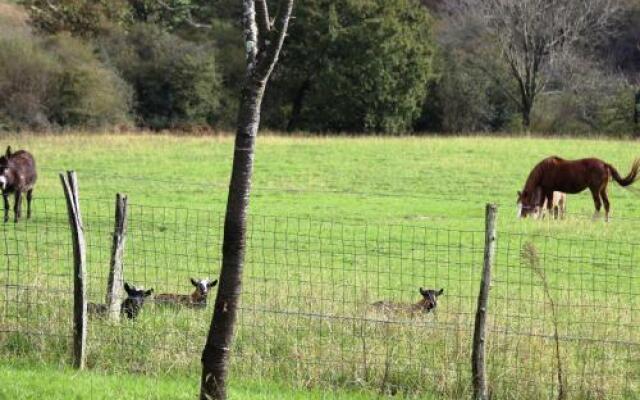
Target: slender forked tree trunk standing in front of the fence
(263, 41)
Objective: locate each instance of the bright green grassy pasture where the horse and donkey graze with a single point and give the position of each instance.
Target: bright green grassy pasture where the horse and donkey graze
(337, 224)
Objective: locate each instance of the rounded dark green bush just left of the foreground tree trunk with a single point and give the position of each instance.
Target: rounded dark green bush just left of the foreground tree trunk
(175, 81)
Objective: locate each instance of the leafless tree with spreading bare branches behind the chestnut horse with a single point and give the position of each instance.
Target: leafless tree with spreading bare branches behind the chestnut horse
(532, 34)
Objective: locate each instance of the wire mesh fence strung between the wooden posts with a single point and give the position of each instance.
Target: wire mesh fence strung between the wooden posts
(336, 303)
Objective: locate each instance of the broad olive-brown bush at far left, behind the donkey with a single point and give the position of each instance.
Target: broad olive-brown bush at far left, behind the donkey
(57, 82)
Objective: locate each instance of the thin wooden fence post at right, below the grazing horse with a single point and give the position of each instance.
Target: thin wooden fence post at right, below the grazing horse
(477, 357)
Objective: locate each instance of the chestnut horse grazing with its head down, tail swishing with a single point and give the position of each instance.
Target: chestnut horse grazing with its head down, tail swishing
(571, 176)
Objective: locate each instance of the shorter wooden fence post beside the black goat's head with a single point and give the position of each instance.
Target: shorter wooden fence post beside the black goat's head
(116, 267)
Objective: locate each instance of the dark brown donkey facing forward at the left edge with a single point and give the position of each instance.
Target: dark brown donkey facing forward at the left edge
(17, 175)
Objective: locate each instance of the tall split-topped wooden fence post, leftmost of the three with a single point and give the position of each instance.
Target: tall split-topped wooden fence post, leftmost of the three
(70, 186)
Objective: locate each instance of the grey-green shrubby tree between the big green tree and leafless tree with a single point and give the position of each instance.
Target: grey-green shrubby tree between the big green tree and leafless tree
(469, 92)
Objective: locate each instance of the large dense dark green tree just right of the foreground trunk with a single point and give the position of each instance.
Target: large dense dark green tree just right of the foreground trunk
(354, 65)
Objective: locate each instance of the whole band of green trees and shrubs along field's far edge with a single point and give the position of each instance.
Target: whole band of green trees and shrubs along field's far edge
(347, 66)
